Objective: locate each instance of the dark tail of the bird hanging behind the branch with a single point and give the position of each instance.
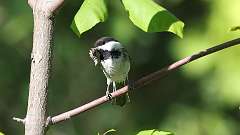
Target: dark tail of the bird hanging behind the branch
(123, 99)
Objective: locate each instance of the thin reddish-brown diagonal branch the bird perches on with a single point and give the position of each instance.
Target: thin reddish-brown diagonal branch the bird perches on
(142, 81)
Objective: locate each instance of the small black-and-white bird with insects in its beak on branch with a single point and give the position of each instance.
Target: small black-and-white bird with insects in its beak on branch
(114, 61)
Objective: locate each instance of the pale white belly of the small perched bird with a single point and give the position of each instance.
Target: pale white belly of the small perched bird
(116, 69)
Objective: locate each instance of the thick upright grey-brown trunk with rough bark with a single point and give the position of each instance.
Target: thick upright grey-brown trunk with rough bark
(43, 11)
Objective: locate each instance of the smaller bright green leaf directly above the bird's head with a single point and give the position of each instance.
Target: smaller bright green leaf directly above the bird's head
(90, 13)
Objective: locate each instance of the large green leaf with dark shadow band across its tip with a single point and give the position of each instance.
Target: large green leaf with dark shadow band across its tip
(151, 17)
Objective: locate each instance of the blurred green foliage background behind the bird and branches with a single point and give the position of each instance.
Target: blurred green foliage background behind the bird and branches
(200, 98)
